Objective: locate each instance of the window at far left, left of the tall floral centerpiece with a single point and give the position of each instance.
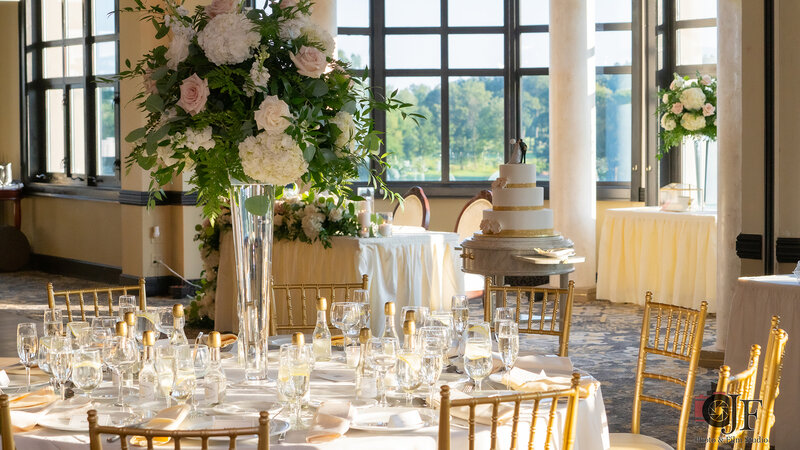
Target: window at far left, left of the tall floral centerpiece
(72, 114)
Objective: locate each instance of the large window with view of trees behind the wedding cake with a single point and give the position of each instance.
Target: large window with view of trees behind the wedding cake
(481, 79)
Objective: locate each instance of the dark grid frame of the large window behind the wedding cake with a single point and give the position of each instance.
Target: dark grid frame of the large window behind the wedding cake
(512, 74)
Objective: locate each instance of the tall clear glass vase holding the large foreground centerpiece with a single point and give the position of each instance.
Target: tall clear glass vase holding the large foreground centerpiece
(251, 212)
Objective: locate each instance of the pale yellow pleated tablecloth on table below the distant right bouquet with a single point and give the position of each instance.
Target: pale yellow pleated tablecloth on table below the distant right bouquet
(674, 255)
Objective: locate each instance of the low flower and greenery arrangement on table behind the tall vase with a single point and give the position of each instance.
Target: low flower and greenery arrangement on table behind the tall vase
(309, 218)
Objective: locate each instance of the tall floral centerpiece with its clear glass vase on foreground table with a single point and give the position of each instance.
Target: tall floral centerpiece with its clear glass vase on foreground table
(245, 101)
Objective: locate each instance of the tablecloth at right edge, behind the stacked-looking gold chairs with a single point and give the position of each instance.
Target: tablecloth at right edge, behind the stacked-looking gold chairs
(755, 301)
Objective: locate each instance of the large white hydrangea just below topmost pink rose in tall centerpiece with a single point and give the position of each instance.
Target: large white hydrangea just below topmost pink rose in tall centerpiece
(228, 39)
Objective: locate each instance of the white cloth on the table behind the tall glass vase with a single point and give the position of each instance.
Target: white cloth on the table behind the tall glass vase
(412, 267)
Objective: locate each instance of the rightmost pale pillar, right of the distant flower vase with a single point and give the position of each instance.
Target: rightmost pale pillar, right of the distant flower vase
(729, 168)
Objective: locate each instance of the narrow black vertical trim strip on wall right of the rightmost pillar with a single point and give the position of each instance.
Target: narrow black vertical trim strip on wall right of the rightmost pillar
(769, 137)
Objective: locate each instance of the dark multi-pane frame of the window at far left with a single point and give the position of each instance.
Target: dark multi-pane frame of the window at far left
(86, 182)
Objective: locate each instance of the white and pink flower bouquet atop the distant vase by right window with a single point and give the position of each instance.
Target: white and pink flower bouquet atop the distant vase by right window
(687, 109)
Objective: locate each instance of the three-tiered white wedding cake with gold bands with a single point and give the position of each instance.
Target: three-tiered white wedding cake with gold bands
(517, 205)
